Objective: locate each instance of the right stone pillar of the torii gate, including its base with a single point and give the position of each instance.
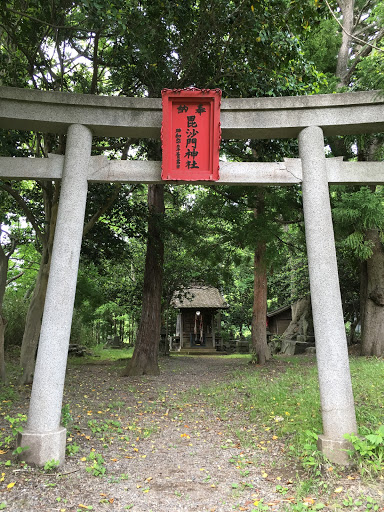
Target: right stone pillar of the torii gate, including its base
(337, 405)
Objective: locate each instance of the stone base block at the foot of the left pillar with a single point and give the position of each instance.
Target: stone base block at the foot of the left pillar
(43, 446)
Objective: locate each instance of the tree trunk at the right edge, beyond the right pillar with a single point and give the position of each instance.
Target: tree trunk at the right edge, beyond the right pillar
(373, 318)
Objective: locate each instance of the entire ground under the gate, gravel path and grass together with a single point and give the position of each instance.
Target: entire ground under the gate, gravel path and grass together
(259, 423)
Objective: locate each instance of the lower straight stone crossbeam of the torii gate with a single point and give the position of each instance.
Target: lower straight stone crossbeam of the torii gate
(102, 170)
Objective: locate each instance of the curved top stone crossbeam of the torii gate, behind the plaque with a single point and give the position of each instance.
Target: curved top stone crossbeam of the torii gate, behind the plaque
(243, 118)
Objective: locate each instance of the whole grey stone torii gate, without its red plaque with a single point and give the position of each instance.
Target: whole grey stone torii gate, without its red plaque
(80, 116)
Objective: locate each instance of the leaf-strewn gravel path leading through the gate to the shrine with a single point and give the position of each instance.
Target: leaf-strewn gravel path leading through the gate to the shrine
(165, 449)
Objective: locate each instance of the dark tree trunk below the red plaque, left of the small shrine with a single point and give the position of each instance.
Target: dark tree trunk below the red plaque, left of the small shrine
(145, 356)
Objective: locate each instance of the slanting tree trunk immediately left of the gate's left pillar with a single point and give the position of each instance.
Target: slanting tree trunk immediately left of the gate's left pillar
(33, 322)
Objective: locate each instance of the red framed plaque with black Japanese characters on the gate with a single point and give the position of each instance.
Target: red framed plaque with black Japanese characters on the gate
(191, 134)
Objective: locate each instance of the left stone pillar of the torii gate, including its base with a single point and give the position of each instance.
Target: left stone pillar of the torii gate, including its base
(44, 439)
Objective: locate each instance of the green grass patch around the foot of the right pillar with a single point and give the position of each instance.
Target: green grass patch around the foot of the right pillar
(282, 399)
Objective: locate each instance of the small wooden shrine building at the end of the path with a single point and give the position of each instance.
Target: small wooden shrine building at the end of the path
(198, 326)
